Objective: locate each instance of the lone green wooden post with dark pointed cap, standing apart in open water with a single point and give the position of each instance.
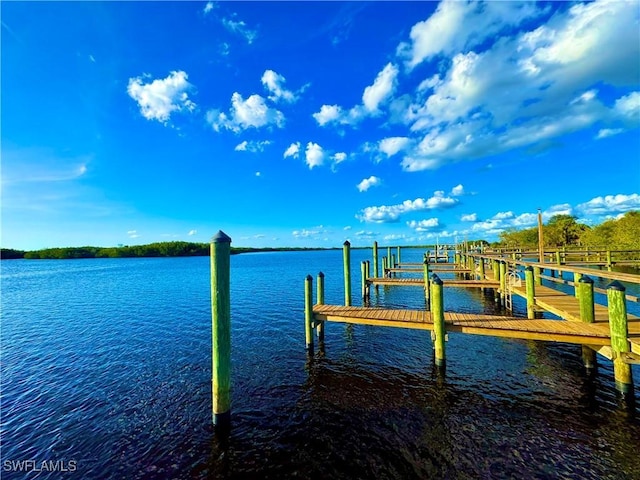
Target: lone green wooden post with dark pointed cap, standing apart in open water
(221, 329)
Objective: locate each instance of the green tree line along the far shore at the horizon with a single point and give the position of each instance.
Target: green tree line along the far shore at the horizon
(560, 231)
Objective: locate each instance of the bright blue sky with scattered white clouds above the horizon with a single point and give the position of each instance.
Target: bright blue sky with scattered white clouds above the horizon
(305, 124)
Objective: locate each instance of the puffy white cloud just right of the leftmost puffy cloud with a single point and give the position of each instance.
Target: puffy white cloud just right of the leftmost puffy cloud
(252, 112)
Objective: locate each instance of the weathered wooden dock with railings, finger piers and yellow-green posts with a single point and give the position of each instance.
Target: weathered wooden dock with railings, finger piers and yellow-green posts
(607, 330)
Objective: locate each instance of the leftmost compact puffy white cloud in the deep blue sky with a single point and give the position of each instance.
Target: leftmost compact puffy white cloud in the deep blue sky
(161, 97)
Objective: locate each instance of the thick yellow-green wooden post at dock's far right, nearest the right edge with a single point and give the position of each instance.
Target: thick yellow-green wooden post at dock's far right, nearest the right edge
(619, 336)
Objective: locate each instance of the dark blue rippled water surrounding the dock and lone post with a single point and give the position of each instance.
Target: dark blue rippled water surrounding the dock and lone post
(106, 363)
